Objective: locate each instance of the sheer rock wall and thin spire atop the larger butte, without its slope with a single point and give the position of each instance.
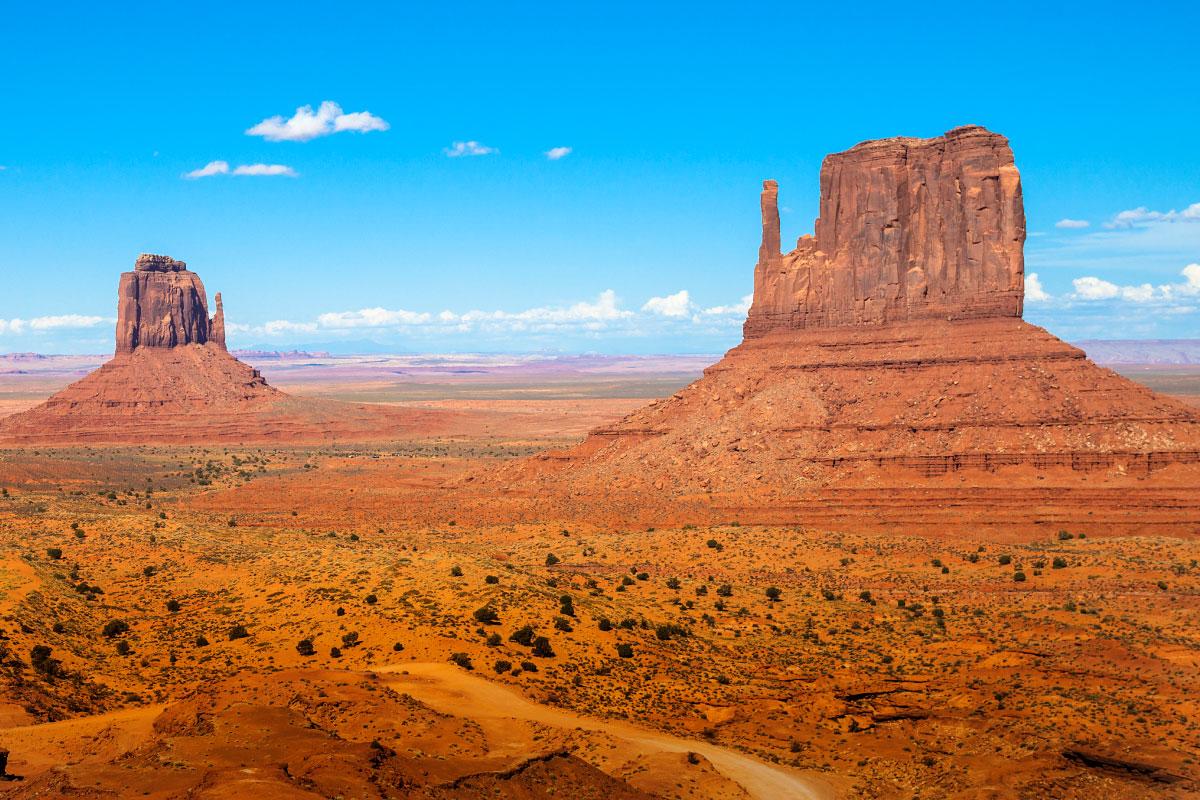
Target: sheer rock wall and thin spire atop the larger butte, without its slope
(909, 230)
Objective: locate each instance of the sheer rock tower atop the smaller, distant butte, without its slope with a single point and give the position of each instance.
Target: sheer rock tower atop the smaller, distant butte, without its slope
(163, 305)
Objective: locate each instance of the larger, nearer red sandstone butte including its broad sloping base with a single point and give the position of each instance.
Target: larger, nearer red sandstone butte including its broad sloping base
(889, 350)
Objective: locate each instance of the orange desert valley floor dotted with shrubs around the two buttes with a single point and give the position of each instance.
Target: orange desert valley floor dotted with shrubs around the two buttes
(356, 621)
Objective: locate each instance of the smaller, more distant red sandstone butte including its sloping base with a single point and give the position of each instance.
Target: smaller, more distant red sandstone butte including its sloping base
(173, 382)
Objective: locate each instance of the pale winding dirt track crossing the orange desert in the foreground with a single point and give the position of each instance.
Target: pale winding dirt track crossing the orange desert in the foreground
(453, 691)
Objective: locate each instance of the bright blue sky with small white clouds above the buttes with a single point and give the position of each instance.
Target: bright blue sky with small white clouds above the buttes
(673, 115)
